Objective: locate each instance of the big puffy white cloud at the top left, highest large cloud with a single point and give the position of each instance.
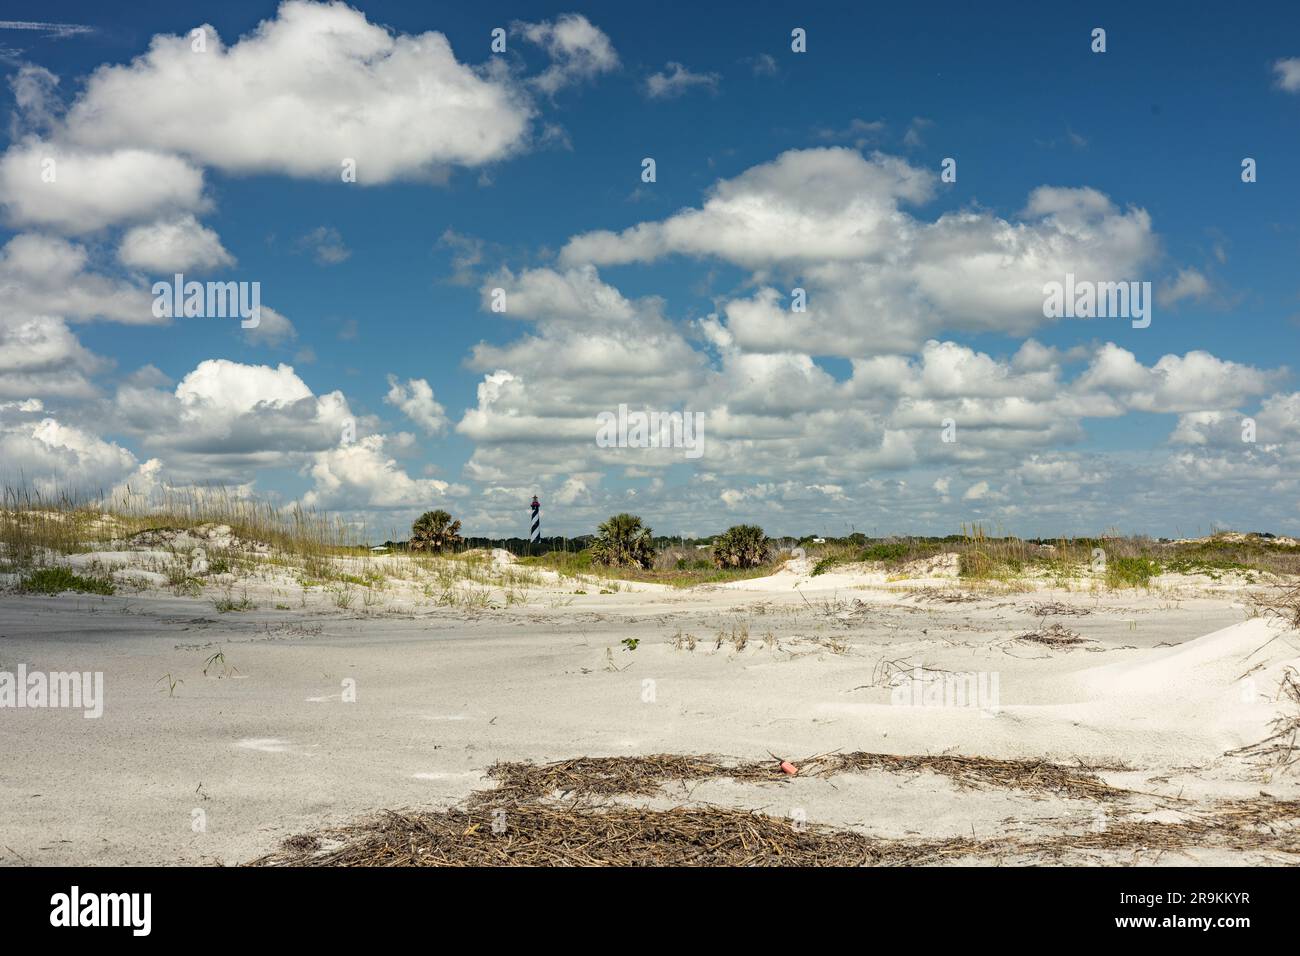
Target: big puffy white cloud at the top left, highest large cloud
(305, 90)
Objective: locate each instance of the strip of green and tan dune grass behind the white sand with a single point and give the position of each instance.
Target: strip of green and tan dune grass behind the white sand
(40, 531)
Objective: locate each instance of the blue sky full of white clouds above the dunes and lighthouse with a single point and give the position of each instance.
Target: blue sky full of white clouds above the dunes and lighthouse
(465, 266)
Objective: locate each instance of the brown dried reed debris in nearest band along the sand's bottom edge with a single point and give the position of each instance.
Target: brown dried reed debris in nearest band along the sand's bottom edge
(579, 834)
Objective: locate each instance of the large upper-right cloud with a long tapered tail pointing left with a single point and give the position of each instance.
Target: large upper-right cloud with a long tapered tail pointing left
(878, 279)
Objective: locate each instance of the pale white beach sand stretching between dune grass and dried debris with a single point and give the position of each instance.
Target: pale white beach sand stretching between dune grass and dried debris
(268, 746)
